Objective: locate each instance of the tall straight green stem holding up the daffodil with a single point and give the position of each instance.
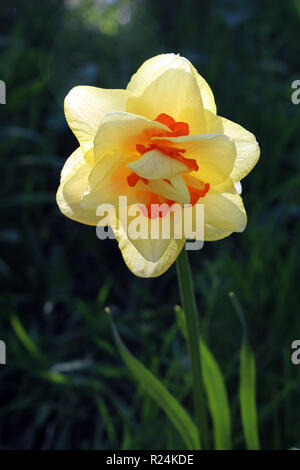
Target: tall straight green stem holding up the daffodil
(188, 300)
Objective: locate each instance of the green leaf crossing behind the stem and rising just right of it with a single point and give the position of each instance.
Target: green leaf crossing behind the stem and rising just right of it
(215, 389)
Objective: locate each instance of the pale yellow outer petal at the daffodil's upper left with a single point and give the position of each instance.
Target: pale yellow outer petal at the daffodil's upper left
(85, 107)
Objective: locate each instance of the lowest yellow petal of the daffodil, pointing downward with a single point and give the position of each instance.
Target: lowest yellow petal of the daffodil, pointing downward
(147, 258)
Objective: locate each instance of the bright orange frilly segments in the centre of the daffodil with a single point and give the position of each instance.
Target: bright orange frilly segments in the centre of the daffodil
(177, 129)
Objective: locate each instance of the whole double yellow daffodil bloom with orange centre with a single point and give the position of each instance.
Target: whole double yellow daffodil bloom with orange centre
(158, 141)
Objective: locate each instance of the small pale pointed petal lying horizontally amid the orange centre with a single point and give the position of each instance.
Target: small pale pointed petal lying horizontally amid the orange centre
(156, 165)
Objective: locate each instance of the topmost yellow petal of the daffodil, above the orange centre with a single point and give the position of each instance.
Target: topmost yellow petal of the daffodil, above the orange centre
(168, 84)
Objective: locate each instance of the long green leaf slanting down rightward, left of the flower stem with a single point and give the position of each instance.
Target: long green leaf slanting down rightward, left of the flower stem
(158, 392)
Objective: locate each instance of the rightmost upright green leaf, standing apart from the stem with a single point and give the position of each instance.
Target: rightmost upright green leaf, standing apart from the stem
(247, 396)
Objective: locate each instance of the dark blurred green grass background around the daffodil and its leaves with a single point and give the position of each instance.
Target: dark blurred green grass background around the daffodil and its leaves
(64, 385)
